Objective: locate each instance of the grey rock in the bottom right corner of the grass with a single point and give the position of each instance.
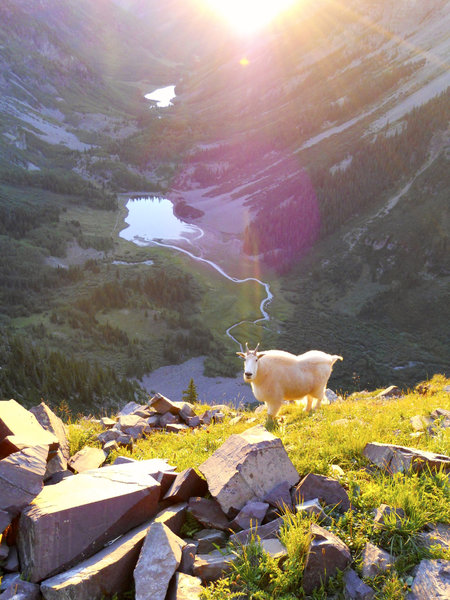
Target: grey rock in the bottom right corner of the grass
(432, 581)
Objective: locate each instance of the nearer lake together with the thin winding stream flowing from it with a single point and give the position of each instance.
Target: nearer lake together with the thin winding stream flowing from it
(151, 220)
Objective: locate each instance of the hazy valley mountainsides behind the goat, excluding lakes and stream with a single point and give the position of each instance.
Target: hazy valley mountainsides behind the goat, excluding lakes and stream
(312, 153)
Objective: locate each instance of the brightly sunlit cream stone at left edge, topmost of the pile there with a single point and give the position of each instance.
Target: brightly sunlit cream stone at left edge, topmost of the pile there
(15, 420)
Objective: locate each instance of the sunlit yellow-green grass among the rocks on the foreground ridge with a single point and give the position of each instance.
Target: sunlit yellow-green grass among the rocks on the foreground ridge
(314, 443)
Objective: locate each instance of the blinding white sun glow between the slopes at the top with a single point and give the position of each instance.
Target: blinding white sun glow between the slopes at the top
(248, 16)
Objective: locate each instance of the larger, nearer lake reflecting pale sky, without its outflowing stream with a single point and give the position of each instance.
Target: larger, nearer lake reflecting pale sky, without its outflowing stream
(152, 218)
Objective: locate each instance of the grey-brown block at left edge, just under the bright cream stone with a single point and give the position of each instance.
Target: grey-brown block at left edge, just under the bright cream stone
(22, 478)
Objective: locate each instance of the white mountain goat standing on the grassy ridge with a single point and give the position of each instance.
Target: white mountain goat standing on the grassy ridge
(277, 376)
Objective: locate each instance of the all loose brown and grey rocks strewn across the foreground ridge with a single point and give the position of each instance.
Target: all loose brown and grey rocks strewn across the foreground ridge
(90, 535)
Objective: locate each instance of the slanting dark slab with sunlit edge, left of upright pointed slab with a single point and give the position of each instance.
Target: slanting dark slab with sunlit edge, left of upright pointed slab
(108, 572)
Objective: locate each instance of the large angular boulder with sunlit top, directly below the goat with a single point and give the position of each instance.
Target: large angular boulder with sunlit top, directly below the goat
(246, 467)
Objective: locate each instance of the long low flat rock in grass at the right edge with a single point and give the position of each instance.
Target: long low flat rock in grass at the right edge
(396, 459)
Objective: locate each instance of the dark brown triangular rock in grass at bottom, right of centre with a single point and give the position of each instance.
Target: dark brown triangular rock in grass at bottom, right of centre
(327, 553)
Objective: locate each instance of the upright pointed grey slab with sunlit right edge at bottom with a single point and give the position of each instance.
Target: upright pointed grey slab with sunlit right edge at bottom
(159, 559)
